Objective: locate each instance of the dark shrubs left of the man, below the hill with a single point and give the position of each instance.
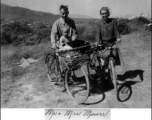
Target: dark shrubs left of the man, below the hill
(19, 32)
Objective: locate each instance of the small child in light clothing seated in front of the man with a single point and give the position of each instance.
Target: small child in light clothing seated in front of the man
(64, 40)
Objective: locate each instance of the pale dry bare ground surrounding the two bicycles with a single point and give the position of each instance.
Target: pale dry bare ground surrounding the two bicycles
(30, 87)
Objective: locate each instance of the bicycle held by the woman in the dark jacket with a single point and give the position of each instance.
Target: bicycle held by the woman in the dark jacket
(109, 63)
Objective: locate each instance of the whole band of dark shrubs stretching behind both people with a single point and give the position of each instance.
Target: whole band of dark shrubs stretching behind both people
(19, 32)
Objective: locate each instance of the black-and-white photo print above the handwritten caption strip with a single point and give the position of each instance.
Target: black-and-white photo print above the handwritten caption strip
(76, 54)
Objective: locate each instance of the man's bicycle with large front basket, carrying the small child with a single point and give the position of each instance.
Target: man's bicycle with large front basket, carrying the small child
(74, 76)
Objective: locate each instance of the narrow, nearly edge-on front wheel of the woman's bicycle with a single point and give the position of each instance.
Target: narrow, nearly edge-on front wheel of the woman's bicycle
(113, 76)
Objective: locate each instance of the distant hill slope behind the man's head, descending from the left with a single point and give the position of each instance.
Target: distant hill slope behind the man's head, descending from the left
(10, 12)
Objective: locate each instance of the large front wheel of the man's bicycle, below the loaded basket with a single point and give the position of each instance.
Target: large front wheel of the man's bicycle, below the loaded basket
(77, 84)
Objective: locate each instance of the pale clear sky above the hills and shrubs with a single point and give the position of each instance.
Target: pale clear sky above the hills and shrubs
(118, 8)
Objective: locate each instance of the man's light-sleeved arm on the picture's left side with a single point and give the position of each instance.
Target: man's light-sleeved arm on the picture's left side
(54, 35)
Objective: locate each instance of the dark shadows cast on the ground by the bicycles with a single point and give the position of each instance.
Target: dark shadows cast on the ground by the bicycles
(100, 85)
